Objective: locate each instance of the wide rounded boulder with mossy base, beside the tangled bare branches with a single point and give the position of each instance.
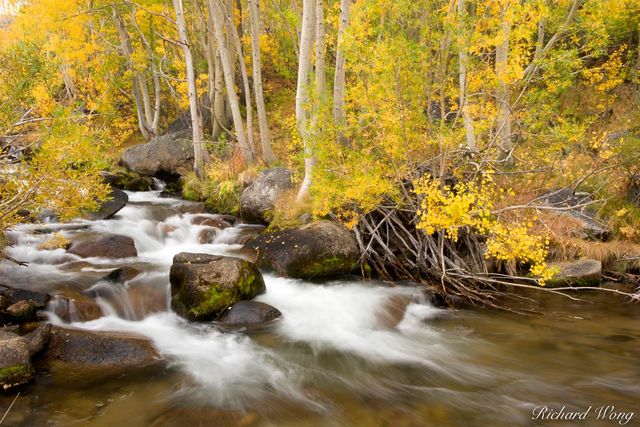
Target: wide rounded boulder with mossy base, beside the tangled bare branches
(319, 249)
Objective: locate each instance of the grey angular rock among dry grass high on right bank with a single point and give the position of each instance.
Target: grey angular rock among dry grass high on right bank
(591, 227)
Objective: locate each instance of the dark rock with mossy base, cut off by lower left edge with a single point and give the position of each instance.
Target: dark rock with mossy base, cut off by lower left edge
(15, 360)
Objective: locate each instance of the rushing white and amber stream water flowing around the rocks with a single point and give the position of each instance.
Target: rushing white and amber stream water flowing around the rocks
(341, 355)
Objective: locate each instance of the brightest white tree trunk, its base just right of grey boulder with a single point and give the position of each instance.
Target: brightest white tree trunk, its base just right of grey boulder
(302, 93)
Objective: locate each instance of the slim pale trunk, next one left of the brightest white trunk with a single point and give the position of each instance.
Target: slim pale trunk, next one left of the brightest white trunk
(265, 139)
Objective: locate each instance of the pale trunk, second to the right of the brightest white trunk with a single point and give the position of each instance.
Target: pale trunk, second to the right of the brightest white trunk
(339, 116)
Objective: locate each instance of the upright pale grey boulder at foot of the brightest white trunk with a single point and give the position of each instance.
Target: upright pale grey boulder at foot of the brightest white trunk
(259, 199)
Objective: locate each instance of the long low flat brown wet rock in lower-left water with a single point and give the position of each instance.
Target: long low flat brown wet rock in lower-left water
(71, 349)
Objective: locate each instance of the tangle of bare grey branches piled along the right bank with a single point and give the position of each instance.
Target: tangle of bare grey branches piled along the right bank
(394, 249)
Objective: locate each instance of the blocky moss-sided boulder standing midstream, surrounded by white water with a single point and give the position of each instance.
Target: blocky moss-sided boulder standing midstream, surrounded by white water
(202, 285)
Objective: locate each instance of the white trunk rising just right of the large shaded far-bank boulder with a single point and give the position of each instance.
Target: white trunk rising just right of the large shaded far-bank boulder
(200, 154)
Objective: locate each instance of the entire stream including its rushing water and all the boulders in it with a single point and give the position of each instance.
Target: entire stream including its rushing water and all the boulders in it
(126, 322)
